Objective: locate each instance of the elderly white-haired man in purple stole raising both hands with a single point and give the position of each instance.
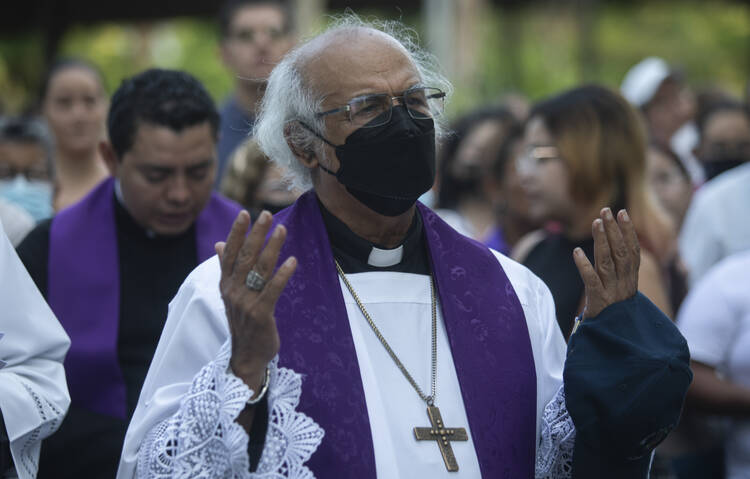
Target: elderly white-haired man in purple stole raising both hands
(355, 334)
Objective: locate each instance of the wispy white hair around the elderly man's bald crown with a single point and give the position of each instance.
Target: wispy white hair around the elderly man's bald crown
(289, 98)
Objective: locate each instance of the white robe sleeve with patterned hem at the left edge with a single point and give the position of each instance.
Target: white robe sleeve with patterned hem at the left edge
(33, 392)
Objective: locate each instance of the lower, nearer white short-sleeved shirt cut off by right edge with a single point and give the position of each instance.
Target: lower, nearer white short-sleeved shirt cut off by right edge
(715, 320)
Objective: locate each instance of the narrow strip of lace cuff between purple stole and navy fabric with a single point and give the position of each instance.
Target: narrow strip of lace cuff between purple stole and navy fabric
(554, 459)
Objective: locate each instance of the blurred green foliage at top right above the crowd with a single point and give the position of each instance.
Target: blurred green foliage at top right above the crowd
(539, 50)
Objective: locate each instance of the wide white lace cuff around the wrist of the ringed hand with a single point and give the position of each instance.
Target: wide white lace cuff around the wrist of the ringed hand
(202, 438)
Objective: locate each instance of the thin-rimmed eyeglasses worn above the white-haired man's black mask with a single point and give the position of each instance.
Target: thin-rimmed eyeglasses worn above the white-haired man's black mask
(420, 102)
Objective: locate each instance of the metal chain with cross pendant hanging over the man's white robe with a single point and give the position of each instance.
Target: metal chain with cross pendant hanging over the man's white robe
(438, 431)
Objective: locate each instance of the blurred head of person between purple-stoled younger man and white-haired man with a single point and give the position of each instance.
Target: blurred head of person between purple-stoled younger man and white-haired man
(256, 183)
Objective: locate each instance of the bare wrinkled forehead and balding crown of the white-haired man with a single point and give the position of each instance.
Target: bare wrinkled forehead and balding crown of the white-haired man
(342, 64)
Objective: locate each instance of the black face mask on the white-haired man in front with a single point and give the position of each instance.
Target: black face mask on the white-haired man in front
(387, 167)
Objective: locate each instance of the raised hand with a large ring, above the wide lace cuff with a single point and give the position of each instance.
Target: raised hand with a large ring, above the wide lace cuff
(250, 305)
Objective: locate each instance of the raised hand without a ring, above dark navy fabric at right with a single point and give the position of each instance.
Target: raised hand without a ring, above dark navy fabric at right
(617, 257)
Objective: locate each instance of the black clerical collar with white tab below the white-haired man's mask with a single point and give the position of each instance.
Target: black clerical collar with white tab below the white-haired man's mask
(357, 255)
